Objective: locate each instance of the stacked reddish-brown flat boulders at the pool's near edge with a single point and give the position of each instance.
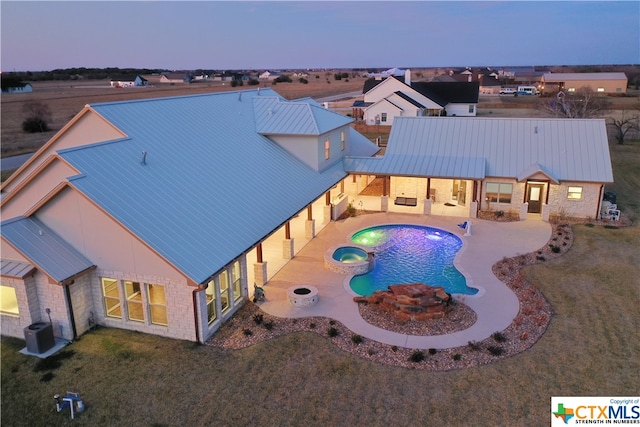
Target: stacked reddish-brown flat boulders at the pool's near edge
(411, 302)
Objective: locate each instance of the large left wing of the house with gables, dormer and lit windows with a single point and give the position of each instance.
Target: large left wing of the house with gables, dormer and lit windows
(147, 215)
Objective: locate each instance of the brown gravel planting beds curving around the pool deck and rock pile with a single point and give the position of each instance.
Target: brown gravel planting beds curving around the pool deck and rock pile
(250, 325)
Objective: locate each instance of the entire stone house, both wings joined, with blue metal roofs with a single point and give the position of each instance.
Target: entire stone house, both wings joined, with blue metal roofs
(160, 215)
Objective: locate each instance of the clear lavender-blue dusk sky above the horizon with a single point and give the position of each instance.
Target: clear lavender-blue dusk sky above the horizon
(45, 35)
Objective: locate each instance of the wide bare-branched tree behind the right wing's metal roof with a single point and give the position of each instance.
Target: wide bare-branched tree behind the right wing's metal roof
(583, 103)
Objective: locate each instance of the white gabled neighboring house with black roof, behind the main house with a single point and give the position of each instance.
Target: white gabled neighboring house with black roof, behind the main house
(394, 97)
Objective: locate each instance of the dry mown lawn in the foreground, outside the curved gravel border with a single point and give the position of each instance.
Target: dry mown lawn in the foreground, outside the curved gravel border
(591, 348)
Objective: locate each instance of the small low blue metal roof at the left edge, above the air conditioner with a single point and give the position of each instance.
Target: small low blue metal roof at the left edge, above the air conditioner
(44, 248)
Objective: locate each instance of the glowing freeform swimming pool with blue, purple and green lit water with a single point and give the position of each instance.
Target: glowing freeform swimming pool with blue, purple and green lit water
(410, 254)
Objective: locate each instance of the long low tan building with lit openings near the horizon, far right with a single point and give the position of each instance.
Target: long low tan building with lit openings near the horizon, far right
(605, 83)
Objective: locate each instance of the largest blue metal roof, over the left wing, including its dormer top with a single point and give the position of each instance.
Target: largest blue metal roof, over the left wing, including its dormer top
(210, 186)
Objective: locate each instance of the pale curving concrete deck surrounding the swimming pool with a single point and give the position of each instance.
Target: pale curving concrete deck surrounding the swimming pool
(495, 304)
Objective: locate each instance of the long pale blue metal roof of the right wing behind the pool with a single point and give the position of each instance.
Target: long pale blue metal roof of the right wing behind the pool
(472, 148)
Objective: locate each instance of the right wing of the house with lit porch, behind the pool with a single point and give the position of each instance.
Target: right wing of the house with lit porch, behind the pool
(547, 167)
